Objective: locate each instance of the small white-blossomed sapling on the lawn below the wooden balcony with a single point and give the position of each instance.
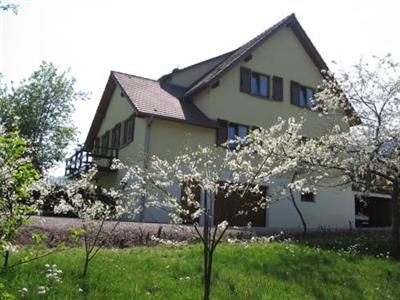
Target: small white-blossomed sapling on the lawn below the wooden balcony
(94, 206)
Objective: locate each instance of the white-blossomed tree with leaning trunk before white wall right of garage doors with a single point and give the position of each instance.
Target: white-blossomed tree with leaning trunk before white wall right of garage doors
(279, 157)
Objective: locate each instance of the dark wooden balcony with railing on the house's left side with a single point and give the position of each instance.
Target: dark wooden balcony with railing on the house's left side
(82, 160)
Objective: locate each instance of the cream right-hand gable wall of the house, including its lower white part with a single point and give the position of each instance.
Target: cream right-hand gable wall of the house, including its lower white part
(282, 55)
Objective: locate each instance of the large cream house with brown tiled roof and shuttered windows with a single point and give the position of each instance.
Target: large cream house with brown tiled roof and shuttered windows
(274, 74)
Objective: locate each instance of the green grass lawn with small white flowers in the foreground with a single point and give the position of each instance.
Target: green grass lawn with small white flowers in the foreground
(278, 270)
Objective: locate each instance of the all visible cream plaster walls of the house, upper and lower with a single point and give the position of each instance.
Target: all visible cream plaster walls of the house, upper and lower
(282, 55)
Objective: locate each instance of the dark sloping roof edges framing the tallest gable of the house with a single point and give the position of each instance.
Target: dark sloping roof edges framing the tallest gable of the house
(245, 50)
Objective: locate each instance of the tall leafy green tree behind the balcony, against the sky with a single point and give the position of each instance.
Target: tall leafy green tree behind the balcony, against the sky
(43, 105)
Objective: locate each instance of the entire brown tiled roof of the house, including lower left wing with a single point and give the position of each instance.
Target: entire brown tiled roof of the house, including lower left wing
(167, 101)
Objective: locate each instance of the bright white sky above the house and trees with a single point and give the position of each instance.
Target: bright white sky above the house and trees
(150, 38)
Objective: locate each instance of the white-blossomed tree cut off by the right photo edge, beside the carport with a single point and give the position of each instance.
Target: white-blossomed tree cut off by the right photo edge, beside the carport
(369, 155)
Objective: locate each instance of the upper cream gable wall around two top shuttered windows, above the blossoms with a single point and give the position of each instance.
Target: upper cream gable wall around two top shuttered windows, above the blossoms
(281, 55)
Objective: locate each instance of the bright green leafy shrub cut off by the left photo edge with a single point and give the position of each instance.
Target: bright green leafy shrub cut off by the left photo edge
(17, 177)
